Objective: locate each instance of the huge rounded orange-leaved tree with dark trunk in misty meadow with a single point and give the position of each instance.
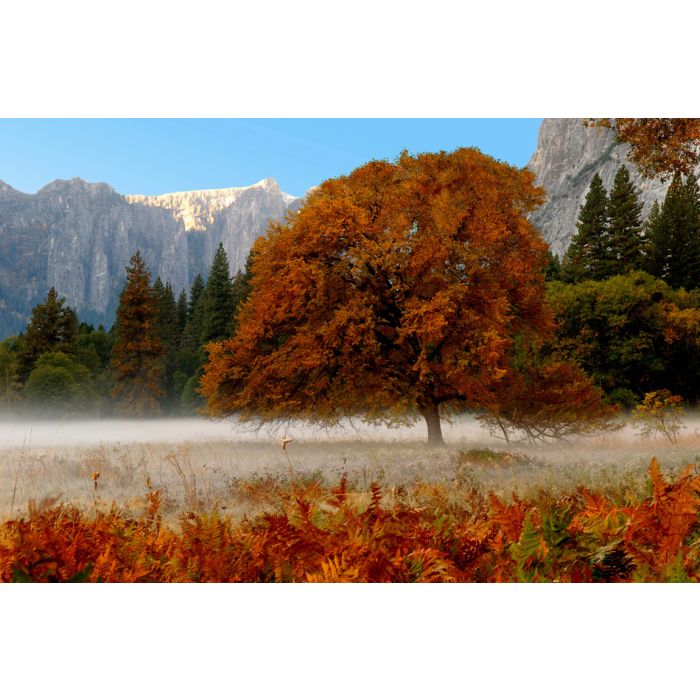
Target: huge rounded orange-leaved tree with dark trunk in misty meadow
(395, 289)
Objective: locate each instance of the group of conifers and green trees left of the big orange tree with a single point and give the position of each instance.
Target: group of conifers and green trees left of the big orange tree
(148, 363)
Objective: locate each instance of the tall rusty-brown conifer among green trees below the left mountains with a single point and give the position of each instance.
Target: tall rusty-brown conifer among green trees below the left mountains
(137, 357)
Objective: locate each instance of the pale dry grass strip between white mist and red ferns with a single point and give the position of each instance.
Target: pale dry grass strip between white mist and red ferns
(243, 477)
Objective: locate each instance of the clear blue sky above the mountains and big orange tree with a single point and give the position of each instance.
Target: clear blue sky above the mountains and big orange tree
(152, 156)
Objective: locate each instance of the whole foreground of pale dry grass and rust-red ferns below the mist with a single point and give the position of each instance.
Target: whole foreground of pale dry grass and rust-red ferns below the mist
(405, 514)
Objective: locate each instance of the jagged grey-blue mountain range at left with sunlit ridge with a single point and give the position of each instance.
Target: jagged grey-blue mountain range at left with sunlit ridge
(79, 236)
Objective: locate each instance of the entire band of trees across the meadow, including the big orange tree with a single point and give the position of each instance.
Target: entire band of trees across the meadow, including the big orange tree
(412, 287)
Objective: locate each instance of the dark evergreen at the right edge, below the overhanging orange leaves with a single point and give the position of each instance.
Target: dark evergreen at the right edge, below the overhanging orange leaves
(673, 232)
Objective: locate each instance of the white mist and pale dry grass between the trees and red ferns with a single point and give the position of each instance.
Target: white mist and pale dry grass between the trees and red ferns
(201, 464)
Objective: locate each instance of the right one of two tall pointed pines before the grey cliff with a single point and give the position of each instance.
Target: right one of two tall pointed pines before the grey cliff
(624, 226)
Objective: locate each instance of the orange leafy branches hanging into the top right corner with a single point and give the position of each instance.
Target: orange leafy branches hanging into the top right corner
(659, 146)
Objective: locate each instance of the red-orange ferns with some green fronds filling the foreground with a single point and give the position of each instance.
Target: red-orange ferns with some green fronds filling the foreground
(336, 535)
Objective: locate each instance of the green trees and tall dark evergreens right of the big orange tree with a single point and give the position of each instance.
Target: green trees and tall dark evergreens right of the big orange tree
(625, 297)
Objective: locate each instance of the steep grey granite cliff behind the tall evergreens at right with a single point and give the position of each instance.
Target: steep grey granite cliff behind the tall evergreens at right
(568, 154)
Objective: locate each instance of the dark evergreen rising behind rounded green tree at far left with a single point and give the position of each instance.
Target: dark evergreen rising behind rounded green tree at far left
(53, 328)
